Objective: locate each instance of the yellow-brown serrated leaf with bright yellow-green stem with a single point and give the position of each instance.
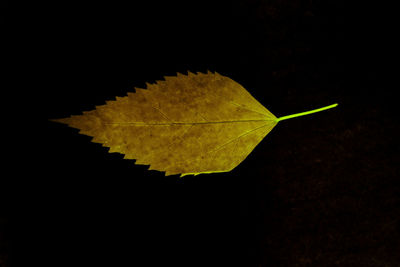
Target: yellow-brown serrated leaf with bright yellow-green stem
(187, 124)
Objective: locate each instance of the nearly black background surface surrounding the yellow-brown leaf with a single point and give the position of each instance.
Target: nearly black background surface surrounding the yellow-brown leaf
(321, 190)
